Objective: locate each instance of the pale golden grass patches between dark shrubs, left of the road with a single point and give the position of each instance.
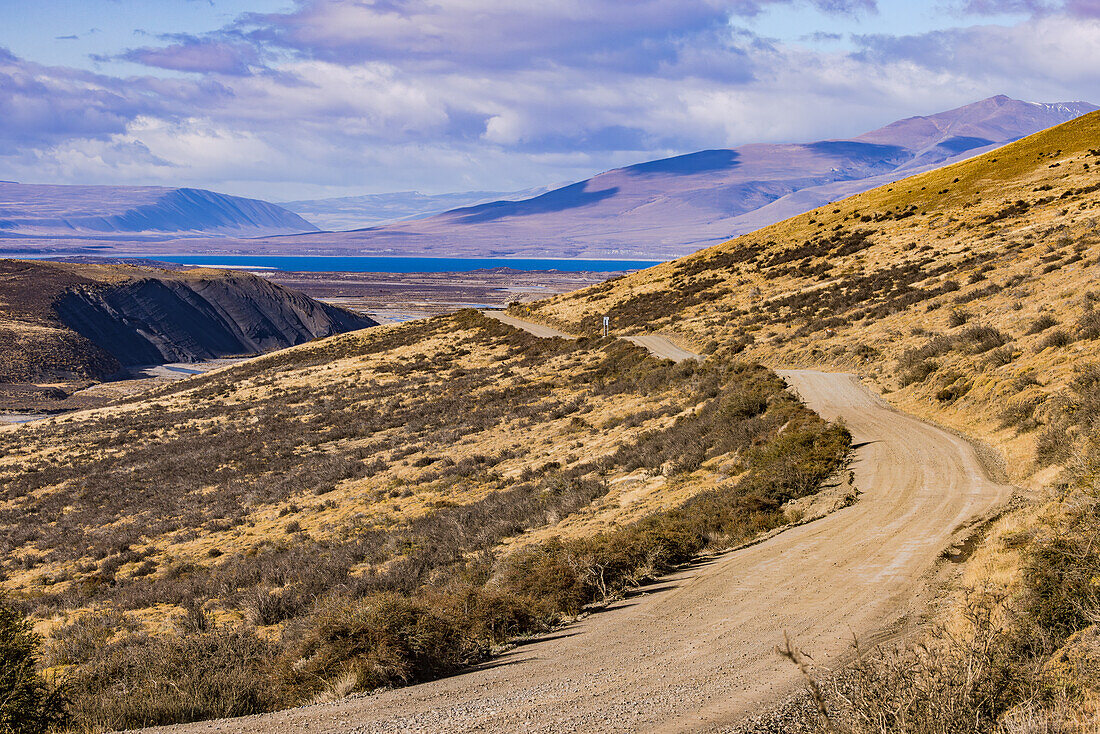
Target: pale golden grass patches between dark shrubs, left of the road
(395, 496)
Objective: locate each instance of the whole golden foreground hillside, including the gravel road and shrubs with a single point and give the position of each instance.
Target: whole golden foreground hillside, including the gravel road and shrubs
(629, 532)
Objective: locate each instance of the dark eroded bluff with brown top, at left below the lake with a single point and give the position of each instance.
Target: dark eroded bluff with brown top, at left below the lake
(67, 322)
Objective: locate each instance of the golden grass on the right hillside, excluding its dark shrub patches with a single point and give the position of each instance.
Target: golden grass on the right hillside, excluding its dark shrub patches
(952, 223)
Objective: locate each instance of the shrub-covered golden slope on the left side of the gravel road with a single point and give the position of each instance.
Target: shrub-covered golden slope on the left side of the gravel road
(379, 508)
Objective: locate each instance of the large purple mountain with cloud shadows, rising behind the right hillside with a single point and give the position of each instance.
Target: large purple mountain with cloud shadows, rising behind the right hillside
(675, 206)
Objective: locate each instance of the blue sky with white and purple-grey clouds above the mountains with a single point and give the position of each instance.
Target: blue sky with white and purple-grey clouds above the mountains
(289, 100)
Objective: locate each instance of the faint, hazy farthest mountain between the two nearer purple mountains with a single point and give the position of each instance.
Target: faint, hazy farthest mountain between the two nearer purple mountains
(373, 210)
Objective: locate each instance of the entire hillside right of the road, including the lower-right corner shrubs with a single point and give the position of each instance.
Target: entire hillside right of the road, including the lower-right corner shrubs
(970, 297)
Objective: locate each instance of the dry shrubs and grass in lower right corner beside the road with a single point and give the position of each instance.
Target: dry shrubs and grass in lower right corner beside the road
(1020, 664)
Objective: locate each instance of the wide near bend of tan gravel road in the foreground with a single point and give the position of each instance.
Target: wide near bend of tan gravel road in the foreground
(698, 652)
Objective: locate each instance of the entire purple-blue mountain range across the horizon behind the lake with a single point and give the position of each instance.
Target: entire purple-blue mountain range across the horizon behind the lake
(657, 210)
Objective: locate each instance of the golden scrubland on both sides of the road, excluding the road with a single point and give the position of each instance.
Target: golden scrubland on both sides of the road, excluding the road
(386, 508)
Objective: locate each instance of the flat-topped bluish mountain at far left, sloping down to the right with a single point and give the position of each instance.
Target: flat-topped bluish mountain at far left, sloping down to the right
(49, 211)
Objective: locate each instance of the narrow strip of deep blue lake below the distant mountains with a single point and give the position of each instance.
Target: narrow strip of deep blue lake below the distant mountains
(339, 265)
